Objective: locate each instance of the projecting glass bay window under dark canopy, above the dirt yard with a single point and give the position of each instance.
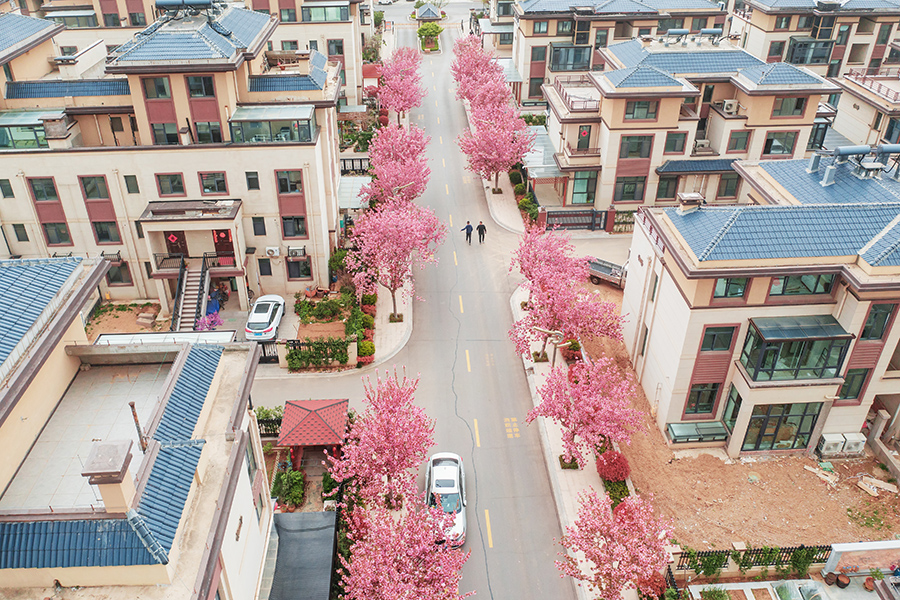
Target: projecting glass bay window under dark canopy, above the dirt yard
(807, 358)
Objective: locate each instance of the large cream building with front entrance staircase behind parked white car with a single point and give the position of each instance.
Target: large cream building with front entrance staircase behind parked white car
(187, 142)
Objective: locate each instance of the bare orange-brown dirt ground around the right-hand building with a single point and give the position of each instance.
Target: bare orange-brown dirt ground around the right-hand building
(767, 501)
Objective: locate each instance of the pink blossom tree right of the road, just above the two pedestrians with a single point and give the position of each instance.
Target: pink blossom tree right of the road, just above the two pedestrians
(500, 140)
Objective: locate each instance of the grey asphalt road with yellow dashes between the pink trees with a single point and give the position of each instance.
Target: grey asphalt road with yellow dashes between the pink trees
(472, 382)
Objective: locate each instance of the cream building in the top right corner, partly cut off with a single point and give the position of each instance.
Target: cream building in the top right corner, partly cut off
(829, 37)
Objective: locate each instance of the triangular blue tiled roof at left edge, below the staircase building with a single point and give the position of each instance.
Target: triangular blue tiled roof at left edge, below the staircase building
(26, 288)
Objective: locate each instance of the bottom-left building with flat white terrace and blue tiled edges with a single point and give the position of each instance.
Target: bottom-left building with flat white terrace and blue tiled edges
(179, 510)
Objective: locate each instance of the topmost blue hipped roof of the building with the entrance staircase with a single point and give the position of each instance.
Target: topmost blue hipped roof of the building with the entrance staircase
(236, 28)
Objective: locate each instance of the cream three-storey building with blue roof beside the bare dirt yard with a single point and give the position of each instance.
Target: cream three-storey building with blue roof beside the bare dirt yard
(761, 327)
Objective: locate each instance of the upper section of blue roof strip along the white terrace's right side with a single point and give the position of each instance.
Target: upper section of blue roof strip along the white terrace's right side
(189, 394)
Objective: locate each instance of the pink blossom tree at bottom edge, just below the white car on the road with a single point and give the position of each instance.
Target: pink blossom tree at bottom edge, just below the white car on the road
(397, 558)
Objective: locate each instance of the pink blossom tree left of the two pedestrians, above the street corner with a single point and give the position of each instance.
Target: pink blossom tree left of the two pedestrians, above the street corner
(391, 239)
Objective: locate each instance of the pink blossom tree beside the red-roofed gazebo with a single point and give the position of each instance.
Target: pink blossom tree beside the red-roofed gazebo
(387, 442)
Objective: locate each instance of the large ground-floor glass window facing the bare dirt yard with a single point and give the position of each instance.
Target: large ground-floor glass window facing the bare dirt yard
(781, 426)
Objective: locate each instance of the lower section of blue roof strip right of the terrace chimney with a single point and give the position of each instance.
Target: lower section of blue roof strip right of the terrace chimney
(166, 491)
